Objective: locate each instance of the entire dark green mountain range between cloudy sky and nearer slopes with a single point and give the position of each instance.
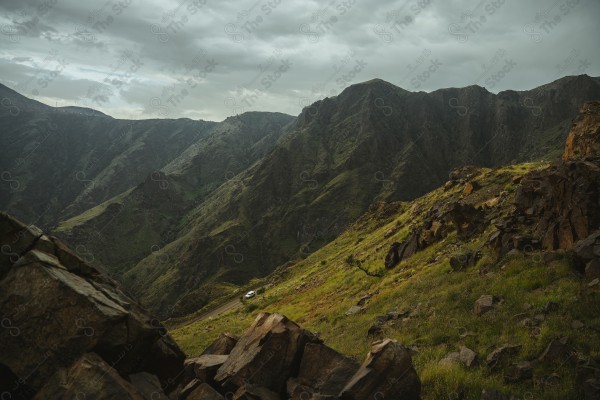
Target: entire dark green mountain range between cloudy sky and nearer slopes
(185, 212)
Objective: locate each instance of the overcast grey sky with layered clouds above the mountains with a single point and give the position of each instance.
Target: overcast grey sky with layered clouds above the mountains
(209, 59)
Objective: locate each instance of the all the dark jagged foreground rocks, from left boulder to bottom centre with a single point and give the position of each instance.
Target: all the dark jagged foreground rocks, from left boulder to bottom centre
(71, 333)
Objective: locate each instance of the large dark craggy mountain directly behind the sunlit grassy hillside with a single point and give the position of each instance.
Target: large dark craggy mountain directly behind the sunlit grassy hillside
(373, 142)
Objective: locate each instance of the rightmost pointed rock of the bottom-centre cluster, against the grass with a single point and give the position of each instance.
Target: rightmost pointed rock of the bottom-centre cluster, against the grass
(387, 371)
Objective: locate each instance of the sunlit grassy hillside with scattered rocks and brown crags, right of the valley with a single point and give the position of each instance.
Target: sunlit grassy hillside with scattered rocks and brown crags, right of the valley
(466, 277)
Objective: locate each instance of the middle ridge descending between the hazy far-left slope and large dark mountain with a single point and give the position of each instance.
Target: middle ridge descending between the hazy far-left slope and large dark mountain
(149, 214)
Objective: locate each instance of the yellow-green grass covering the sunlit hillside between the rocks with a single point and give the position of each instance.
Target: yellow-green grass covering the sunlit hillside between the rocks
(318, 290)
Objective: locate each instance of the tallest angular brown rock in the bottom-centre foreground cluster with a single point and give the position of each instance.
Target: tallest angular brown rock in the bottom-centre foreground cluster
(266, 355)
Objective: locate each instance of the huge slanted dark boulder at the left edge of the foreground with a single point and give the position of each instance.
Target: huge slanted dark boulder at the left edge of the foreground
(60, 309)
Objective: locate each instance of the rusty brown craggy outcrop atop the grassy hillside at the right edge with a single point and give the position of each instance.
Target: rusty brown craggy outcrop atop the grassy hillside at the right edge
(558, 206)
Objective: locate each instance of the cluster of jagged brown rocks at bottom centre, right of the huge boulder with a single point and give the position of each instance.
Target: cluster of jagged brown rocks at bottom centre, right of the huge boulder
(277, 359)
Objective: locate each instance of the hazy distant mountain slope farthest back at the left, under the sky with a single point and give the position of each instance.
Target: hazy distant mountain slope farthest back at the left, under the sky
(59, 162)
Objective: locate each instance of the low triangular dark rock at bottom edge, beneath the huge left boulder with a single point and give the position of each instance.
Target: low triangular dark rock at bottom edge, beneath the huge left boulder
(88, 377)
